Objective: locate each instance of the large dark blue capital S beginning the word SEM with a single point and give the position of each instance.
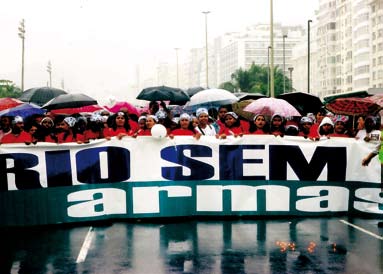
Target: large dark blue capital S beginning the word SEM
(199, 170)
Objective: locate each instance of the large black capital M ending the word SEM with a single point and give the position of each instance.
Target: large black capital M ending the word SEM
(334, 157)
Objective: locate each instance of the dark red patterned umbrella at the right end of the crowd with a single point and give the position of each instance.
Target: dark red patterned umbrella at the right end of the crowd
(353, 106)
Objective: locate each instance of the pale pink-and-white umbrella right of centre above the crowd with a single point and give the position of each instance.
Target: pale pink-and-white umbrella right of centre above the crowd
(271, 106)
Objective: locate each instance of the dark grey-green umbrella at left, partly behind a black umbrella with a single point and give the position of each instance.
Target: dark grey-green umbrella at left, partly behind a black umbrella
(40, 95)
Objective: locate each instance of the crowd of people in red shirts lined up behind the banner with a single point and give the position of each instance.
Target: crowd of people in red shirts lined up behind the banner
(221, 122)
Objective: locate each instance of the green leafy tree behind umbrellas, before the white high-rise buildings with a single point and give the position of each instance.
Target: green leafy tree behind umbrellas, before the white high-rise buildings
(255, 80)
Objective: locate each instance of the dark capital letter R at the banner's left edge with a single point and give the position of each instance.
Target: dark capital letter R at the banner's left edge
(24, 178)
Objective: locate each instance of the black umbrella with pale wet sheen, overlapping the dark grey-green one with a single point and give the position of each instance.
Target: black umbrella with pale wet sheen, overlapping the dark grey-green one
(74, 100)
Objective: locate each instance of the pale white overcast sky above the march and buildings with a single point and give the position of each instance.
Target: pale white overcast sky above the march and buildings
(95, 45)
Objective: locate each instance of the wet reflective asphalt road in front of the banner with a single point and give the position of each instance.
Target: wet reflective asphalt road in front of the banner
(310, 245)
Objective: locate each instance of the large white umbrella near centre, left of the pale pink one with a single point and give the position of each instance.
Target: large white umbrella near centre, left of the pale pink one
(212, 97)
